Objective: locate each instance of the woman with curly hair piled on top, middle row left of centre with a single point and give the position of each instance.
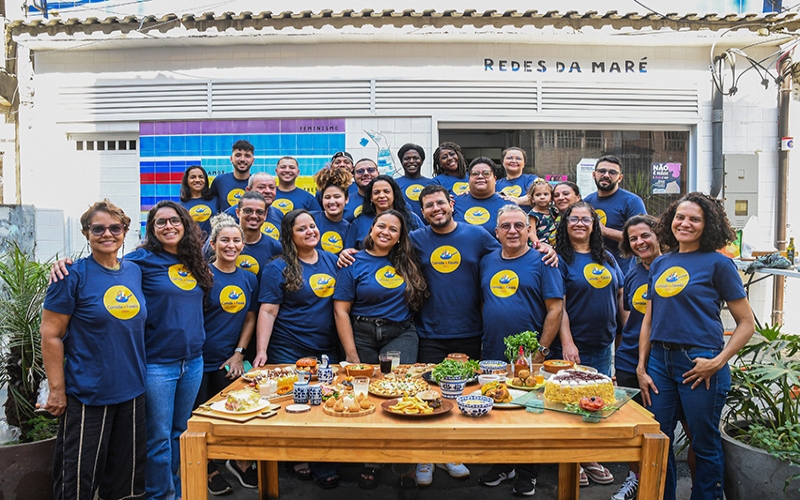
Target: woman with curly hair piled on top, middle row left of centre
(333, 186)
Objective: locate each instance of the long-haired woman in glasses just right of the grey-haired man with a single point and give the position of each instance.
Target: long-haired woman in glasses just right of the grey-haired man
(592, 302)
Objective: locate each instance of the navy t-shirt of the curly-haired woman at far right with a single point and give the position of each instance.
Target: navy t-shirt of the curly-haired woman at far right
(687, 290)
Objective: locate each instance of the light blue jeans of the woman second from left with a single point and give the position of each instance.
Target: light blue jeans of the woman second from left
(169, 397)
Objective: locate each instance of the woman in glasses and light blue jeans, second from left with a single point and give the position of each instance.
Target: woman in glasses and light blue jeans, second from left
(175, 280)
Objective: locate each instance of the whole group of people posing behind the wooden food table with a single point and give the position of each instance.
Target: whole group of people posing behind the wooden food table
(370, 264)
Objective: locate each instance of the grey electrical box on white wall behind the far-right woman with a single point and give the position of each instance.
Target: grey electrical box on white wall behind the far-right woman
(741, 188)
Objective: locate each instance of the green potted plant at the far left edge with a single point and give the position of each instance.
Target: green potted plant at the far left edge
(23, 285)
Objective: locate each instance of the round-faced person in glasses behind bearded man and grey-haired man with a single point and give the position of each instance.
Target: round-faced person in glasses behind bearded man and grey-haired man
(480, 204)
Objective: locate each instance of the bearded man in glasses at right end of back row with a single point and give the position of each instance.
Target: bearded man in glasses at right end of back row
(613, 204)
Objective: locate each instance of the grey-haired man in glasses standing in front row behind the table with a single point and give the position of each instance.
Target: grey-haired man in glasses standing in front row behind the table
(514, 278)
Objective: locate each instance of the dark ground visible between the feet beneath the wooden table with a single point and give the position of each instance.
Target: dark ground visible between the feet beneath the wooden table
(443, 487)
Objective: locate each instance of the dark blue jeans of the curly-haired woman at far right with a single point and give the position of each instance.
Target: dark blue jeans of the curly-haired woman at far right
(702, 408)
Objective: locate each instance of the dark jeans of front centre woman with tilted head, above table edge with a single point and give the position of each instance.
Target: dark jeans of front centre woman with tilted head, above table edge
(372, 339)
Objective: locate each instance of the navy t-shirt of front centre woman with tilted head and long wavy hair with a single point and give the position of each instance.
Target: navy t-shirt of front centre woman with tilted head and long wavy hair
(374, 287)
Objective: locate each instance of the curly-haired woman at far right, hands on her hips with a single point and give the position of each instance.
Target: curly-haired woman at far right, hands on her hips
(684, 363)
